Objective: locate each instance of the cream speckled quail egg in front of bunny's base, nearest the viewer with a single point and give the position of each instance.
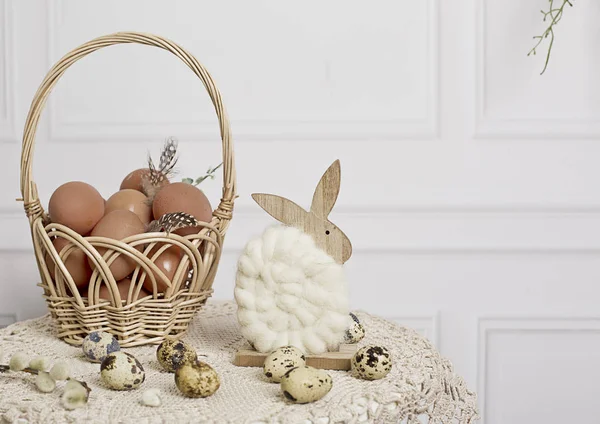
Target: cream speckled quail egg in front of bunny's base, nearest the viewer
(305, 384)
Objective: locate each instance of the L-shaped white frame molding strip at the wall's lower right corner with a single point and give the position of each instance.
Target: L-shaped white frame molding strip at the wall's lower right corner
(487, 326)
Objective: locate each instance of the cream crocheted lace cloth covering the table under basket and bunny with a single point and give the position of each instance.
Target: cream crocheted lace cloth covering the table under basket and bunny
(422, 386)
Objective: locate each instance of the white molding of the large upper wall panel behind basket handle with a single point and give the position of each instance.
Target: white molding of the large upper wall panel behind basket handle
(280, 130)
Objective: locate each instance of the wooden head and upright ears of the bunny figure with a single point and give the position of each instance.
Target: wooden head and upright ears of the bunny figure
(314, 222)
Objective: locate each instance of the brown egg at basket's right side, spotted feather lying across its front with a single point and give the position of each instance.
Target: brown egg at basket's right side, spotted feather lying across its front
(182, 197)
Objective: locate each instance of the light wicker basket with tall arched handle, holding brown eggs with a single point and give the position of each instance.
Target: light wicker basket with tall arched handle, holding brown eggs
(150, 319)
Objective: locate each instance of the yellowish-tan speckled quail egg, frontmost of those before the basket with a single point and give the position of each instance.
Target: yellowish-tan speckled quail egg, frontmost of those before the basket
(197, 379)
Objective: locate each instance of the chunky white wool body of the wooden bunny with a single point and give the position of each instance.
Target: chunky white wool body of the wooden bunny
(290, 292)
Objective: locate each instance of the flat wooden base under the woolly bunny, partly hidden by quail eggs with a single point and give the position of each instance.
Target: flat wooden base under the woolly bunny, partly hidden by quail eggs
(327, 361)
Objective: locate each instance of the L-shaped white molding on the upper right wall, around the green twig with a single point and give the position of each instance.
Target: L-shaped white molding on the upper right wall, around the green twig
(490, 127)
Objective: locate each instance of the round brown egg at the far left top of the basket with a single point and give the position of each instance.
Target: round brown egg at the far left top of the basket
(77, 205)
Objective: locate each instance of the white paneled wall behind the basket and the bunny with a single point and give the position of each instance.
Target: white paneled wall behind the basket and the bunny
(470, 183)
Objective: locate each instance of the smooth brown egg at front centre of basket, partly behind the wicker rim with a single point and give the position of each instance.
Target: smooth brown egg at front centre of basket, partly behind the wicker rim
(118, 225)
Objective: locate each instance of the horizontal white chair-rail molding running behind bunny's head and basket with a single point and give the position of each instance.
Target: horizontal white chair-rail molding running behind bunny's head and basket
(415, 230)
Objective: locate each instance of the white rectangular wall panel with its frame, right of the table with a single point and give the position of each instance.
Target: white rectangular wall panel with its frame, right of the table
(509, 354)
